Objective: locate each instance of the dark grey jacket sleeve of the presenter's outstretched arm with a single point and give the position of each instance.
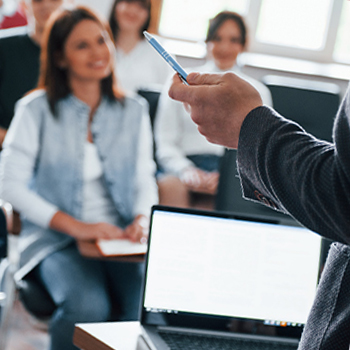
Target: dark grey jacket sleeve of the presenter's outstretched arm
(289, 170)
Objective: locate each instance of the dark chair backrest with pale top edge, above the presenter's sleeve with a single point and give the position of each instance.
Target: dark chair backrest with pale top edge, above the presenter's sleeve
(312, 104)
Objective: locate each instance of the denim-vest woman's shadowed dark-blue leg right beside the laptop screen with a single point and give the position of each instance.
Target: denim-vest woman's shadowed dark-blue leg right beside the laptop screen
(125, 281)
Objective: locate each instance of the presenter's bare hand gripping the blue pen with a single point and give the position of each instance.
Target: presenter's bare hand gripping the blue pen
(218, 104)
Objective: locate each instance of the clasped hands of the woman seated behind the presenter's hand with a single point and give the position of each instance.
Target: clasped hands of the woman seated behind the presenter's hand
(201, 181)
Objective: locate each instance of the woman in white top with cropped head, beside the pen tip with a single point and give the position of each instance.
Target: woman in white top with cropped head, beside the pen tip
(138, 65)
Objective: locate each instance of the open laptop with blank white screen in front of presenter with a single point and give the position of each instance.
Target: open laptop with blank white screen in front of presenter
(217, 280)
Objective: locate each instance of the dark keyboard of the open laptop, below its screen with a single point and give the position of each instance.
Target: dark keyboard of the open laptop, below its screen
(181, 341)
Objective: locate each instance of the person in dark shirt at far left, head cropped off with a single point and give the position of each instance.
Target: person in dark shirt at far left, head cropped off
(19, 58)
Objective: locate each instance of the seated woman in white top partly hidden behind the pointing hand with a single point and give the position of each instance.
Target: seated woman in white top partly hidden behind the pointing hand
(189, 162)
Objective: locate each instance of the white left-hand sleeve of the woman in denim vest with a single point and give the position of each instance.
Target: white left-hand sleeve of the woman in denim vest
(18, 159)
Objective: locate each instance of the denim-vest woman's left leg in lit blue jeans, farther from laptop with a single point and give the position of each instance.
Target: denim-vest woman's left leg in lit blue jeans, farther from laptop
(79, 289)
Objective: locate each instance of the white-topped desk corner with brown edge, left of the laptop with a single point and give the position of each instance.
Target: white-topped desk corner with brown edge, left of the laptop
(109, 336)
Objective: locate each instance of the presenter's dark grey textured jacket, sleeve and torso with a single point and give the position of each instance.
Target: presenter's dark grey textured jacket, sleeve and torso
(294, 172)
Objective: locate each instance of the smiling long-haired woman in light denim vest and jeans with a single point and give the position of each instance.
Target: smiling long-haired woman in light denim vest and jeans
(77, 164)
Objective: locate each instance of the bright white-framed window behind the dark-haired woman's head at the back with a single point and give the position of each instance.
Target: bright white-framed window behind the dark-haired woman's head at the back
(316, 30)
